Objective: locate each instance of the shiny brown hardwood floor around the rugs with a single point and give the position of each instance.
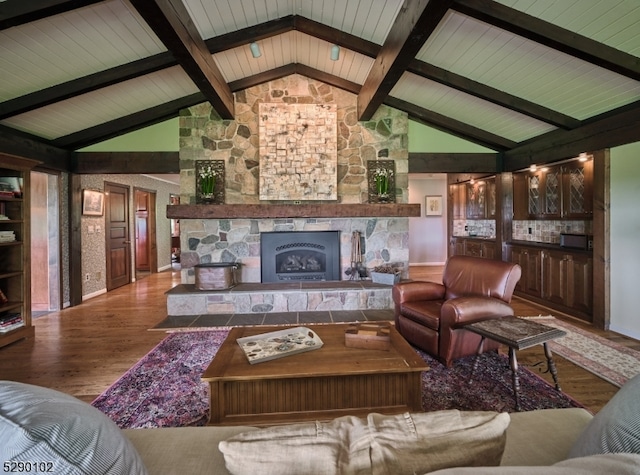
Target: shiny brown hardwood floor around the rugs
(82, 350)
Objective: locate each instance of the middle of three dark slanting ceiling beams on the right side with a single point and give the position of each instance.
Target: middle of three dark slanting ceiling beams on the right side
(495, 96)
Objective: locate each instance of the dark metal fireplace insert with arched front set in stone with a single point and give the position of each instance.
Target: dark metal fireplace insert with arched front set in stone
(299, 256)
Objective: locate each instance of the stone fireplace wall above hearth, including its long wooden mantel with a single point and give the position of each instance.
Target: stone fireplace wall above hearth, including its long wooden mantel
(231, 232)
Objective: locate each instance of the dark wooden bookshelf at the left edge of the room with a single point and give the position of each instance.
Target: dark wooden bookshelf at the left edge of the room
(15, 307)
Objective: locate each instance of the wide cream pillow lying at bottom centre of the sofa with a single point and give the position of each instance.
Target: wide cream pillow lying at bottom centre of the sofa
(399, 444)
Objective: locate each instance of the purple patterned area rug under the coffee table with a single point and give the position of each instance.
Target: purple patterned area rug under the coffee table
(164, 389)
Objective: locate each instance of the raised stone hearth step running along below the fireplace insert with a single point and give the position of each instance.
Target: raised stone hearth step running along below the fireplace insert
(185, 299)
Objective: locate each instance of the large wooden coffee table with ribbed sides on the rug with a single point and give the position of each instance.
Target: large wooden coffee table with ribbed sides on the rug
(322, 384)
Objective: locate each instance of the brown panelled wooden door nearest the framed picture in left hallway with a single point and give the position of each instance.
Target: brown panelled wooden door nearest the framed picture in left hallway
(118, 243)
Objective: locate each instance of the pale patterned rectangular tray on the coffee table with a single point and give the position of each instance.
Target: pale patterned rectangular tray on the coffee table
(278, 344)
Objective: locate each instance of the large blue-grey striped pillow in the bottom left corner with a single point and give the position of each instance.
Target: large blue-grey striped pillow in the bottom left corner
(61, 434)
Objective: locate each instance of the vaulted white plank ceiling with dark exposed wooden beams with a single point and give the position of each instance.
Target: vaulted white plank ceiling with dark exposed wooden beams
(526, 78)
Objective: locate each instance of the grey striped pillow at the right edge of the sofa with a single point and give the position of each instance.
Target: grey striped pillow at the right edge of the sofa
(616, 428)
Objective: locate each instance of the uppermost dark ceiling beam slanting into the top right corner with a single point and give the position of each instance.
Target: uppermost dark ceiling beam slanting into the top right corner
(550, 35)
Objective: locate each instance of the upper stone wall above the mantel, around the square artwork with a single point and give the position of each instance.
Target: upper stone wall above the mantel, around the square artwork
(203, 135)
